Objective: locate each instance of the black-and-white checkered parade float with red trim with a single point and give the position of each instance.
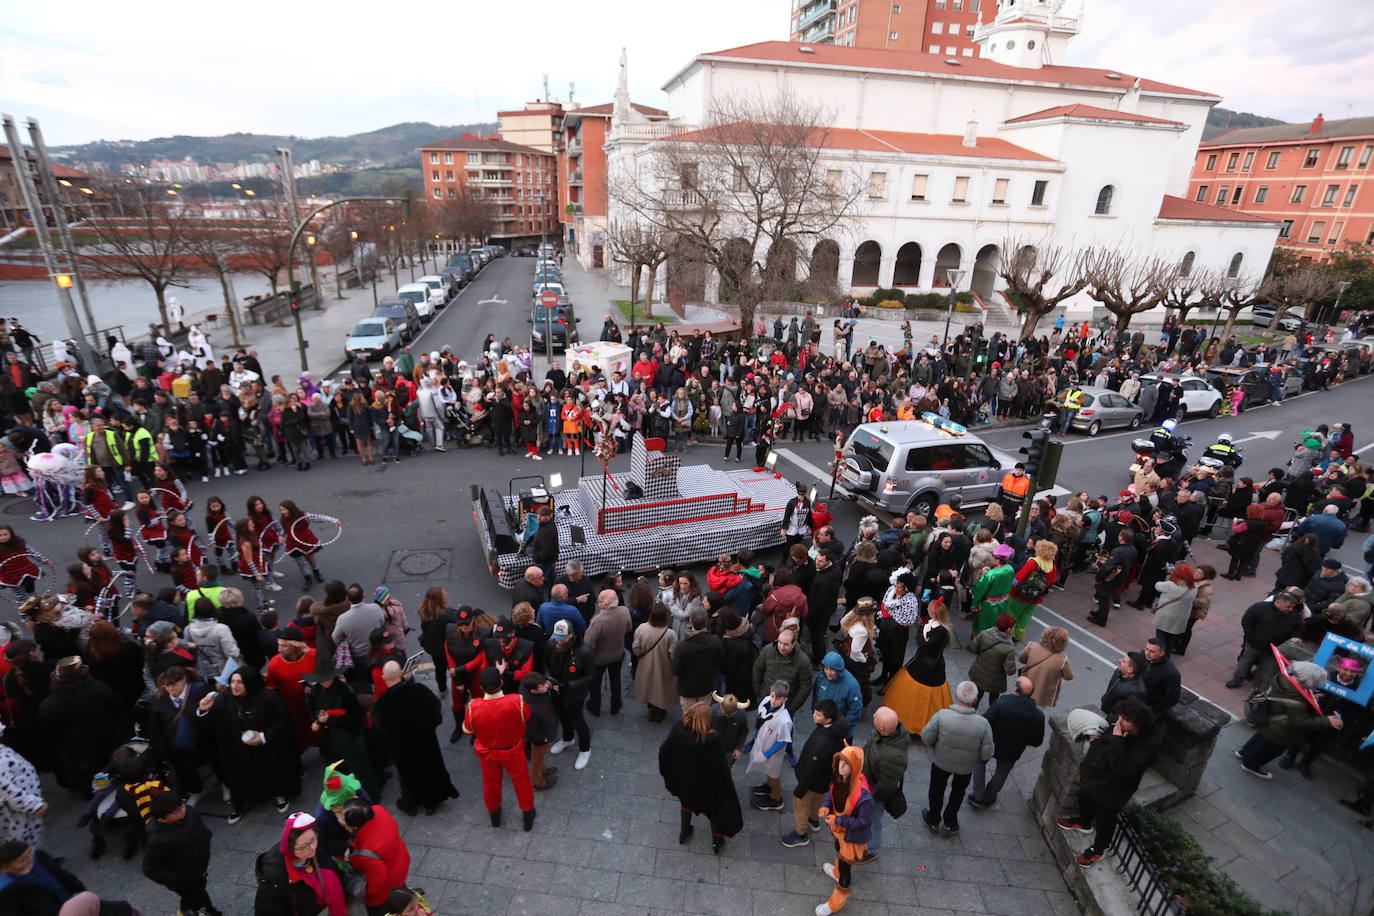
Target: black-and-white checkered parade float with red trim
(684, 516)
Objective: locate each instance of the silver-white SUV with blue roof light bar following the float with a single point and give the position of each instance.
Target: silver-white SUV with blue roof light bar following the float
(919, 465)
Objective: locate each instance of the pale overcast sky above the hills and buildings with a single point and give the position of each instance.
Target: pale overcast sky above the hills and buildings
(97, 72)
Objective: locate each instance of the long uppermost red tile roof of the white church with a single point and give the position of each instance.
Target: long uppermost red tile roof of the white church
(914, 62)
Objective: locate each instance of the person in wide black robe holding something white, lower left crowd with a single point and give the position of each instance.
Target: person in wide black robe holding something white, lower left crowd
(255, 742)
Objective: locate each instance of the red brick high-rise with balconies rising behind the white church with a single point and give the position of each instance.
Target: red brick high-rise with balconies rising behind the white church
(930, 27)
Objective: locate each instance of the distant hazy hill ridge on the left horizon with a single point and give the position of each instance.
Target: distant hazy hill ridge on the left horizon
(390, 146)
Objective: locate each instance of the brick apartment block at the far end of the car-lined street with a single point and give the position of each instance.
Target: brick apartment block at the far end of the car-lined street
(520, 181)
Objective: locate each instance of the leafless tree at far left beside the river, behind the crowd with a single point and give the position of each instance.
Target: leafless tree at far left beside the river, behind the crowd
(149, 242)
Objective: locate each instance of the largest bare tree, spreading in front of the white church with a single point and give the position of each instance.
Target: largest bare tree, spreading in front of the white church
(759, 174)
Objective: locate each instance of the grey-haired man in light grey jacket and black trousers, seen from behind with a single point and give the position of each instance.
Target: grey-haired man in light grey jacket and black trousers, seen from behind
(960, 740)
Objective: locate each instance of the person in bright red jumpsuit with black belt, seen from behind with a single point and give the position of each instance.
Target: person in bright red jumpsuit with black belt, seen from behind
(497, 723)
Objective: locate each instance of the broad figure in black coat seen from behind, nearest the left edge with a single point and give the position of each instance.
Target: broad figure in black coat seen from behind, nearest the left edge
(80, 716)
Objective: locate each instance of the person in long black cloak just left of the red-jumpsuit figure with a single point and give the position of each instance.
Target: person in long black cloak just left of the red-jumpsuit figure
(407, 716)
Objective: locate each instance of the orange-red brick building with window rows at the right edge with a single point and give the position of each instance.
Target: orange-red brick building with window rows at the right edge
(1318, 179)
